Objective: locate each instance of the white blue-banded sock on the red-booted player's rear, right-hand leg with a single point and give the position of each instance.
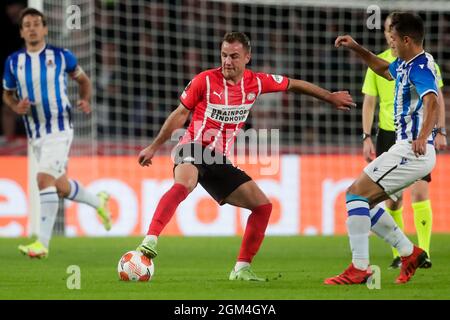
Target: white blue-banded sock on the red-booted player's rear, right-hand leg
(384, 226)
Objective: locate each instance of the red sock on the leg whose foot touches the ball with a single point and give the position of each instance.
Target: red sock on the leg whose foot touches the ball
(166, 208)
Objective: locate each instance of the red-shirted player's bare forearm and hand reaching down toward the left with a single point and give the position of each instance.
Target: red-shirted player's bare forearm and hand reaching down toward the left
(175, 121)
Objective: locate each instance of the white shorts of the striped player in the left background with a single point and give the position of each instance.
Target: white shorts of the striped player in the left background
(52, 152)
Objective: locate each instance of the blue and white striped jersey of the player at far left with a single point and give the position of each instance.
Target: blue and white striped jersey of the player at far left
(42, 77)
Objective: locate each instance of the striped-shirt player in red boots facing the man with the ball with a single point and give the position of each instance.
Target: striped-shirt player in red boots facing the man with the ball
(412, 156)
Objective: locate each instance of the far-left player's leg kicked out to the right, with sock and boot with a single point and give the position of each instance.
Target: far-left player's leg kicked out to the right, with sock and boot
(75, 191)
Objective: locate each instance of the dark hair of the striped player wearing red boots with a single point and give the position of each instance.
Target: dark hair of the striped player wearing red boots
(408, 24)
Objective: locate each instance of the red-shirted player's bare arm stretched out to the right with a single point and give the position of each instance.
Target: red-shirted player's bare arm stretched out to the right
(341, 99)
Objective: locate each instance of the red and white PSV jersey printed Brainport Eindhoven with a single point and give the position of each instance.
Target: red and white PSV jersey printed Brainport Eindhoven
(220, 109)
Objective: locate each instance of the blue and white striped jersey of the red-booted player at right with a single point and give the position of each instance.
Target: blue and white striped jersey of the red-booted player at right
(413, 80)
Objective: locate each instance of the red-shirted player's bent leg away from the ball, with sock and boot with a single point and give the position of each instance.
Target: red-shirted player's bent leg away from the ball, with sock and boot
(250, 196)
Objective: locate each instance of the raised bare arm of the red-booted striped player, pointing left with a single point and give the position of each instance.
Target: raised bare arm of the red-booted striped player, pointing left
(378, 65)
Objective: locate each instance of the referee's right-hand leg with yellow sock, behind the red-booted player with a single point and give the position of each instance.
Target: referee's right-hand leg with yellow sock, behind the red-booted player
(423, 216)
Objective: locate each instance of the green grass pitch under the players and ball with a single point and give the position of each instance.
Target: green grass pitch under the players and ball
(198, 267)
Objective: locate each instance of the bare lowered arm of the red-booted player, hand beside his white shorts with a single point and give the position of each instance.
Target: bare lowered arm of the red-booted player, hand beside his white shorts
(431, 109)
